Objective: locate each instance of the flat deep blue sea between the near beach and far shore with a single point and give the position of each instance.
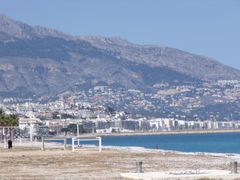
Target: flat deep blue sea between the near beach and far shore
(212, 143)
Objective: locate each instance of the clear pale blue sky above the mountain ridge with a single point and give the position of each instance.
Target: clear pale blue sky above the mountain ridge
(205, 27)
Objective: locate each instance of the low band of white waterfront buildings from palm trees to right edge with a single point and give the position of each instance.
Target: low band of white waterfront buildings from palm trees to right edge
(34, 125)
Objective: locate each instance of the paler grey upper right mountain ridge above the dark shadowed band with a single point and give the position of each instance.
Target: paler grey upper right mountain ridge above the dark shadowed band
(184, 62)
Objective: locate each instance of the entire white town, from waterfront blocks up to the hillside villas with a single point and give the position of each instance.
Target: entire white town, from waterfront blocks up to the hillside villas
(90, 112)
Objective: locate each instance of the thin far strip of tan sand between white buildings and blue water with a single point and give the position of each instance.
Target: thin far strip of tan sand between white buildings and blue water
(172, 132)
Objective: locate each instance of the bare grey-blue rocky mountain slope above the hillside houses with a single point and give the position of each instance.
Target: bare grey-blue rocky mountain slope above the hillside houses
(40, 61)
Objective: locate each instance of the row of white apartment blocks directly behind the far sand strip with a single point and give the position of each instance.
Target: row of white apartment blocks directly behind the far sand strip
(165, 124)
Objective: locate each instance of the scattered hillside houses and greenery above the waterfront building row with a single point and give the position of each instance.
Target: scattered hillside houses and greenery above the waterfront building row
(200, 101)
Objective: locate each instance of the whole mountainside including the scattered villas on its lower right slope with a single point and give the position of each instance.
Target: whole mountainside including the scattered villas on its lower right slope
(39, 62)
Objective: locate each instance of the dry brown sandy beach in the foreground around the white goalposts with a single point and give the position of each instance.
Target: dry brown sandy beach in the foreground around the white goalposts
(29, 162)
